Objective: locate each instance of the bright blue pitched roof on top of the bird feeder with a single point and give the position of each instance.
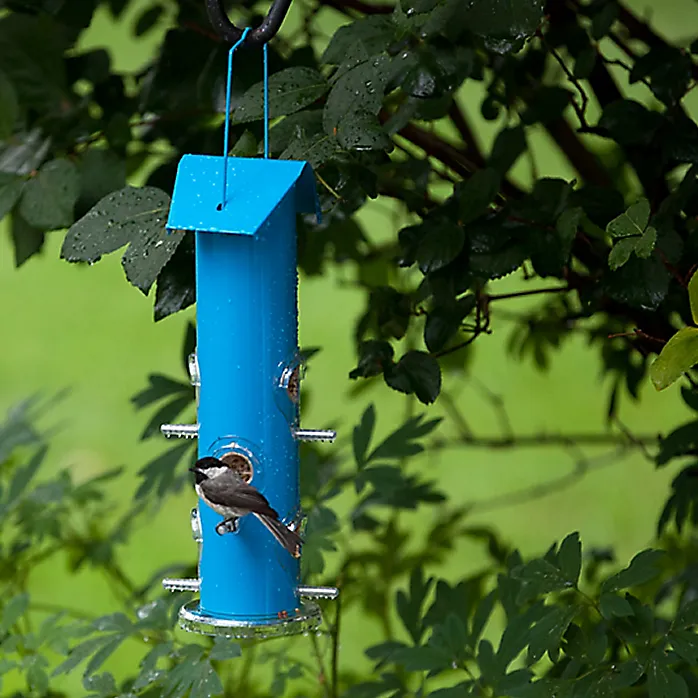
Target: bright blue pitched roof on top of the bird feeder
(256, 186)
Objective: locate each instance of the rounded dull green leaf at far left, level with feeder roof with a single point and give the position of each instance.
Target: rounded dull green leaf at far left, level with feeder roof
(48, 199)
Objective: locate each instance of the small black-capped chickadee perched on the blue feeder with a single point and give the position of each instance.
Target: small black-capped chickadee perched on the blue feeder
(230, 496)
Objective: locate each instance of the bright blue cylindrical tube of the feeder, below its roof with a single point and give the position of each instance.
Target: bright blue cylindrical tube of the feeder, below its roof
(247, 332)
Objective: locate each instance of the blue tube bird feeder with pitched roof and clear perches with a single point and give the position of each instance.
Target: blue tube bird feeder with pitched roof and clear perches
(247, 370)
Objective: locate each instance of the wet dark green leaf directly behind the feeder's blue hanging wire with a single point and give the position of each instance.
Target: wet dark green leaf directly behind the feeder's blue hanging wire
(290, 90)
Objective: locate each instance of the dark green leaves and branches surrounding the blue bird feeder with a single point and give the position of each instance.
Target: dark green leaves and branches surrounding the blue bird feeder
(378, 110)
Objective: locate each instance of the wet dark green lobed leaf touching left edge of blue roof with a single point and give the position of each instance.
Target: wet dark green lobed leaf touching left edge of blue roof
(131, 215)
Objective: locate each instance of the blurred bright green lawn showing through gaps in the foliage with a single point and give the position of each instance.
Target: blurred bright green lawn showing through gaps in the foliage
(86, 329)
